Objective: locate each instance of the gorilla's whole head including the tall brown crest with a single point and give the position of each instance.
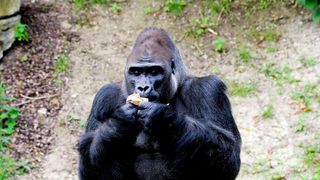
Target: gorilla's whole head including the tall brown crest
(151, 69)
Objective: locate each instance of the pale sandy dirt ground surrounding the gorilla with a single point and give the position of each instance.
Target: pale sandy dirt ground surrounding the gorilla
(271, 148)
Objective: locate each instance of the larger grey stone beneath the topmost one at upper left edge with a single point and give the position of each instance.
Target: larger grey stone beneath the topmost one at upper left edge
(7, 29)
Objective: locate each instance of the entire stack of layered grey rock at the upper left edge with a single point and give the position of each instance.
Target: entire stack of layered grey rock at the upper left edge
(8, 19)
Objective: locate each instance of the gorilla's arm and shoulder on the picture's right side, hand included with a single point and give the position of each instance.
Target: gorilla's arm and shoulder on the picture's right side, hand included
(203, 135)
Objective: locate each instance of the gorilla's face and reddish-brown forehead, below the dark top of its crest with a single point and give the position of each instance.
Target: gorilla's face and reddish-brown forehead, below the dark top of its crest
(150, 72)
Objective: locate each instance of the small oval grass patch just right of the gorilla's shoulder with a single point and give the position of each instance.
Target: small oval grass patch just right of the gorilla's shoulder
(242, 89)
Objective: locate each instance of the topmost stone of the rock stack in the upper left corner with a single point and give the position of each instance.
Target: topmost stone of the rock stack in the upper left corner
(9, 7)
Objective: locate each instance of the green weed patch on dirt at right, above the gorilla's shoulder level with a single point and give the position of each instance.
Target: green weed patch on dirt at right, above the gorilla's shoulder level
(279, 74)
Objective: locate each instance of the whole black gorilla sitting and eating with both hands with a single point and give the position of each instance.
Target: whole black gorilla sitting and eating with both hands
(185, 131)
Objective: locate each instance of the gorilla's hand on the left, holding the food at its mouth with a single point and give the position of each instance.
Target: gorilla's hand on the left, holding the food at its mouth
(126, 114)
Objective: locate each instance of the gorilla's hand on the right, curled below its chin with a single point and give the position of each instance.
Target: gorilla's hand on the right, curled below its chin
(150, 113)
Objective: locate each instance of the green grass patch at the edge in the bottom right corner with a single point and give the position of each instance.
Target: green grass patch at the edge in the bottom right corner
(312, 159)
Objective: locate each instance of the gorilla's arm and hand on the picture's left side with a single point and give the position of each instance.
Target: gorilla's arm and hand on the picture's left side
(110, 130)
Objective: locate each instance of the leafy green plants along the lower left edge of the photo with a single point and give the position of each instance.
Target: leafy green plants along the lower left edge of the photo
(8, 118)
